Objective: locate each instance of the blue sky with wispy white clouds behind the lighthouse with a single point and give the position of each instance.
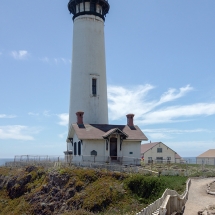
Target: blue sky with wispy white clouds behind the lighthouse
(160, 60)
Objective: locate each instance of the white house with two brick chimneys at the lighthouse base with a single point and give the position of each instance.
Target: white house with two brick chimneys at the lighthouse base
(105, 143)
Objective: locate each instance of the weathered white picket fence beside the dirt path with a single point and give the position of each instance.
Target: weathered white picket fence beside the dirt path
(169, 202)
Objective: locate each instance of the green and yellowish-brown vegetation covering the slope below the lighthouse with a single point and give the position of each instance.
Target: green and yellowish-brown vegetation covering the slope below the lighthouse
(97, 191)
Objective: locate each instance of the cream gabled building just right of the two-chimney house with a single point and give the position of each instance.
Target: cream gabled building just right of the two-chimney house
(158, 152)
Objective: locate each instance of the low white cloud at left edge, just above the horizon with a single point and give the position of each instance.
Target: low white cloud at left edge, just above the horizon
(16, 132)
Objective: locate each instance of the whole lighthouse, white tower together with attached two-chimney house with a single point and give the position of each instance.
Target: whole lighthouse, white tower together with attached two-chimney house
(90, 137)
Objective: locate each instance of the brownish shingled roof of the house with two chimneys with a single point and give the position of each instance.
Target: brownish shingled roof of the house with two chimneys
(100, 131)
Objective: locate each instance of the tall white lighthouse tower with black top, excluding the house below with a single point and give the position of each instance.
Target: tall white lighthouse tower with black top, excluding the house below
(88, 79)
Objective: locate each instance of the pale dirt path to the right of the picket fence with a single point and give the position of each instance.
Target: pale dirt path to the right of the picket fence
(198, 198)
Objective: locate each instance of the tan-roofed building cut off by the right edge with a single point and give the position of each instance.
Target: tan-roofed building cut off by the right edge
(207, 157)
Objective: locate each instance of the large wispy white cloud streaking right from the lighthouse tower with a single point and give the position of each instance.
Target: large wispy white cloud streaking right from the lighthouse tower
(123, 101)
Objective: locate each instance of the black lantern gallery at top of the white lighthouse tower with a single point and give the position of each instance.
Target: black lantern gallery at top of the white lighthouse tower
(92, 7)
